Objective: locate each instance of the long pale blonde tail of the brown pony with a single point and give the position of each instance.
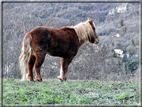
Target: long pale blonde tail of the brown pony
(23, 58)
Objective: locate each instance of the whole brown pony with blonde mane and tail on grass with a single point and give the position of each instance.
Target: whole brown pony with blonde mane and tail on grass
(64, 43)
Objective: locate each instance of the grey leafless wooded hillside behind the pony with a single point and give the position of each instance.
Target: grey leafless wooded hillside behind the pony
(117, 25)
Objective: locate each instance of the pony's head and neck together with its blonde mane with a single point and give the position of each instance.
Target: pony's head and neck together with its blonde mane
(86, 32)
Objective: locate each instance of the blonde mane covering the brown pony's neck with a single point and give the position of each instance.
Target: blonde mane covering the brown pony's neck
(84, 31)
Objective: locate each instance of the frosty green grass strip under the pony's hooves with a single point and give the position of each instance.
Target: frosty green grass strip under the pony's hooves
(70, 93)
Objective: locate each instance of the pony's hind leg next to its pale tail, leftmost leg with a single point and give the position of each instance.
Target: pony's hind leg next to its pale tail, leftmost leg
(31, 63)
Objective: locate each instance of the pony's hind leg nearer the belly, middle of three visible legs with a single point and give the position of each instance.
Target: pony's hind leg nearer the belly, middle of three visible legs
(40, 56)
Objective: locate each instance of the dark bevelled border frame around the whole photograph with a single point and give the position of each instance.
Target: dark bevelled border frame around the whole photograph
(72, 1)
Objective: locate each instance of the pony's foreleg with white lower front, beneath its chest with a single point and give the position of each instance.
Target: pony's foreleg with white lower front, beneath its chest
(64, 68)
